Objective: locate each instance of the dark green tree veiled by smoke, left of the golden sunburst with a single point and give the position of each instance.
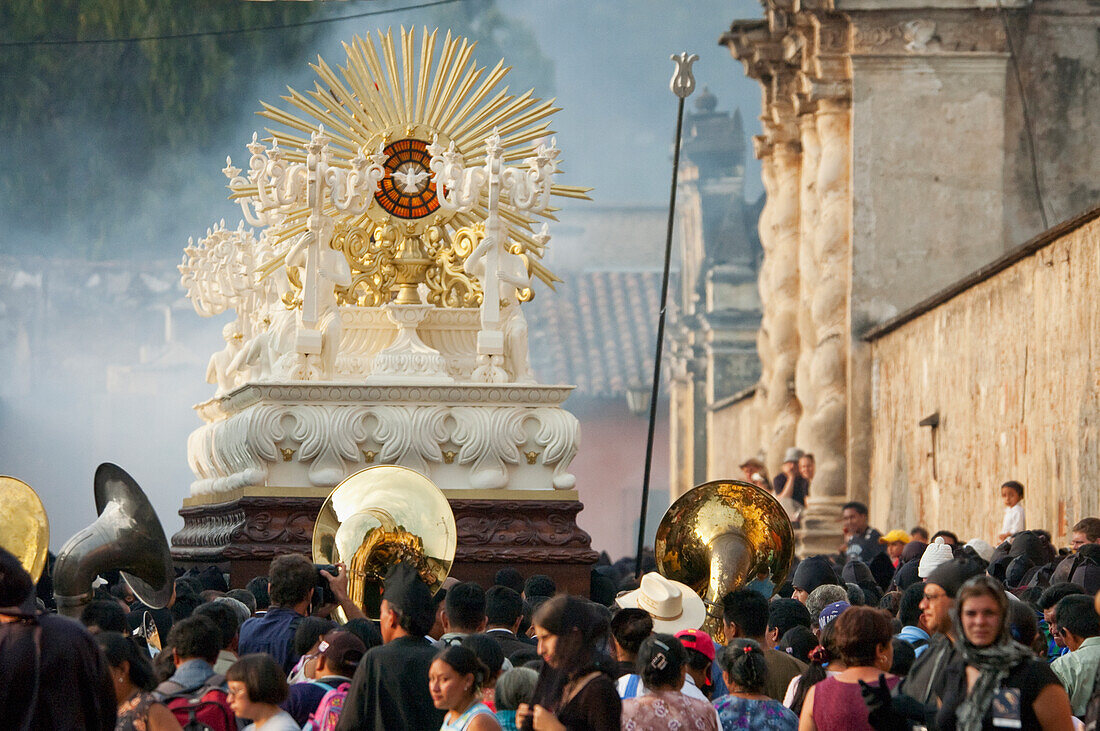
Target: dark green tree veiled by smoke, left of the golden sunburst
(91, 129)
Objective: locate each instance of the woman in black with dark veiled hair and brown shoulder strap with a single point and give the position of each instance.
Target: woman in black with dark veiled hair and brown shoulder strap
(575, 691)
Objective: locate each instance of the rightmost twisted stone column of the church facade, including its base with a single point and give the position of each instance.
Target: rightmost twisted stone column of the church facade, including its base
(821, 531)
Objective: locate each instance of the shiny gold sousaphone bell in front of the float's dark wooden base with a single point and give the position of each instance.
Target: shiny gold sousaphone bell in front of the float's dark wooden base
(378, 518)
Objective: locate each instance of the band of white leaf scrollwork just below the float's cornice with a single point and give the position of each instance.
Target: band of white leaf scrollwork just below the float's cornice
(331, 441)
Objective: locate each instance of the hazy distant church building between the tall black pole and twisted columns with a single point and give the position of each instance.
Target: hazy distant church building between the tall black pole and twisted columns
(717, 313)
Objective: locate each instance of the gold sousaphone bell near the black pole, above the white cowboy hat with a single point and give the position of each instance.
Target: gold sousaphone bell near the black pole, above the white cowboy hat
(721, 536)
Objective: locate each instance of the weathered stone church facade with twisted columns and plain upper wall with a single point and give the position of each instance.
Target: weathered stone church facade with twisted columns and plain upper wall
(907, 145)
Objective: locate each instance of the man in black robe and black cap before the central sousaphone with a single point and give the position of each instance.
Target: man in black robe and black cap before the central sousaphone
(390, 690)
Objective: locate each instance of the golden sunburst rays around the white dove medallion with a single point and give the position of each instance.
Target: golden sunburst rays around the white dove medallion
(416, 90)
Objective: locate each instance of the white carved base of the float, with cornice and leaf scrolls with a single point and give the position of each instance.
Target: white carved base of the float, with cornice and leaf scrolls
(314, 435)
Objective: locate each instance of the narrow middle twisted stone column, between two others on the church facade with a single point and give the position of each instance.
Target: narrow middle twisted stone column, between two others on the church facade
(808, 278)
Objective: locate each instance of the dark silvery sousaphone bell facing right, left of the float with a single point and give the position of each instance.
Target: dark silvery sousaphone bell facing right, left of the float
(127, 536)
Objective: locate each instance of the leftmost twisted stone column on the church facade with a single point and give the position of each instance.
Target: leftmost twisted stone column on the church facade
(783, 301)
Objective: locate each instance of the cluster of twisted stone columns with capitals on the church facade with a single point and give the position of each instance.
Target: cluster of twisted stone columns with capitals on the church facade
(807, 240)
